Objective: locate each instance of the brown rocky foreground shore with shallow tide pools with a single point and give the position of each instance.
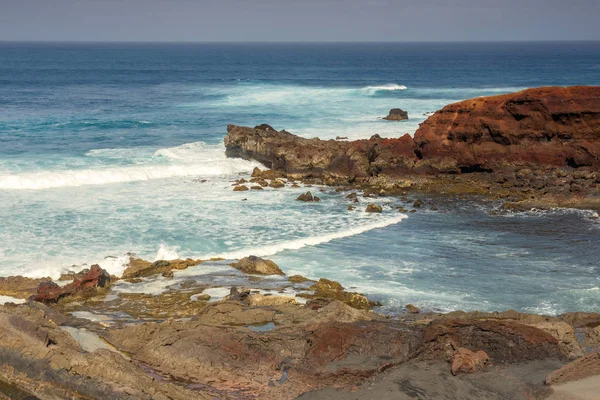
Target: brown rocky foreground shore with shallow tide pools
(244, 330)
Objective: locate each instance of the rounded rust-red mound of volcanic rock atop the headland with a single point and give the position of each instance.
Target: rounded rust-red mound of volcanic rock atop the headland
(550, 126)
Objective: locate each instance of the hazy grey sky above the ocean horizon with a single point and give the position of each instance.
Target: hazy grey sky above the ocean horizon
(299, 20)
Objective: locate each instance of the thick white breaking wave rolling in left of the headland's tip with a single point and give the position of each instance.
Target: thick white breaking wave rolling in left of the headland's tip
(192, 159)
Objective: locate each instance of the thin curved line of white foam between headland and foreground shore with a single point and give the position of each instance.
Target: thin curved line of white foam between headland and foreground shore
(296, 244)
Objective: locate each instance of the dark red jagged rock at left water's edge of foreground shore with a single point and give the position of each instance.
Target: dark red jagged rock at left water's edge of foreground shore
(50, 292)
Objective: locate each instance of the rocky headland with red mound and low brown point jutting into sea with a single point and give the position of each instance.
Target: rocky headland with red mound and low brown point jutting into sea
(536, 148)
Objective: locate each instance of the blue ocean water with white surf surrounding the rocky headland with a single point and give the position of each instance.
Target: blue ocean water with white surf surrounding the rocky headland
(107, 149)
